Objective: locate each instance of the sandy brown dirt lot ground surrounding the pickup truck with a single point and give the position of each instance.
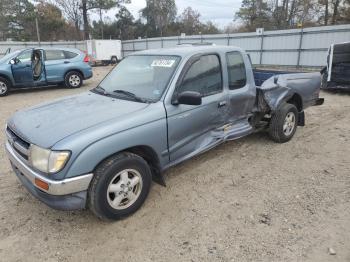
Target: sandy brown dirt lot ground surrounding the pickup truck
(247, 200)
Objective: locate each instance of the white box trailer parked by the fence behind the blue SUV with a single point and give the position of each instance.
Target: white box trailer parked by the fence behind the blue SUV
(104, 51)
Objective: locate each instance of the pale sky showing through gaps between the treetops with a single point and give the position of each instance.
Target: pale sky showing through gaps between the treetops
(221, 12)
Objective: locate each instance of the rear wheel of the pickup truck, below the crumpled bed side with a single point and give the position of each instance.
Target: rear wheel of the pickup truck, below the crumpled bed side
(284, 123)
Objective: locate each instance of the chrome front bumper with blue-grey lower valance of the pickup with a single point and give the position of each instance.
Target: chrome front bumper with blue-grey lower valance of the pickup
(66, 194)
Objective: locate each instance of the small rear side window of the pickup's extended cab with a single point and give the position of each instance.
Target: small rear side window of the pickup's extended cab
(236, 70)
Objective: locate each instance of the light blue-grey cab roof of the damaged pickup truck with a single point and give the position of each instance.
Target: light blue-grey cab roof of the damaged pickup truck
(186, 50)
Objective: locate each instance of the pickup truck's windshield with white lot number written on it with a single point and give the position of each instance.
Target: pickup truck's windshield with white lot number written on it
(140, 77)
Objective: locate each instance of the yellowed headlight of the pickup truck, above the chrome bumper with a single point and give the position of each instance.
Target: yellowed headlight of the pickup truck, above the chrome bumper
(46, 160)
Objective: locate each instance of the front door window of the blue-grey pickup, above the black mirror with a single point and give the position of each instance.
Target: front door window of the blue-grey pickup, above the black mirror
(204, 76)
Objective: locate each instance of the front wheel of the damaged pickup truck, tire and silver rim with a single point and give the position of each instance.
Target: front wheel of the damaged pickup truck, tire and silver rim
(121, 201)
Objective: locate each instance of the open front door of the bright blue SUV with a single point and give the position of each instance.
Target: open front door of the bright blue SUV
(22, 70)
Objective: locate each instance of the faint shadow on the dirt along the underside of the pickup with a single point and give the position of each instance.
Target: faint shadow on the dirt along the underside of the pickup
(235, 149)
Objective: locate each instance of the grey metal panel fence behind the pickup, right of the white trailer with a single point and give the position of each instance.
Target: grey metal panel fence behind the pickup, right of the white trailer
(295, 47)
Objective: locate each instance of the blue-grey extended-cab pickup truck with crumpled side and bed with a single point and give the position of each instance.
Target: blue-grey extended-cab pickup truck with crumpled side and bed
(101, 149)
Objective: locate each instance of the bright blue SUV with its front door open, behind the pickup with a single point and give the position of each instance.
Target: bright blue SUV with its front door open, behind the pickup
(36, 67)
